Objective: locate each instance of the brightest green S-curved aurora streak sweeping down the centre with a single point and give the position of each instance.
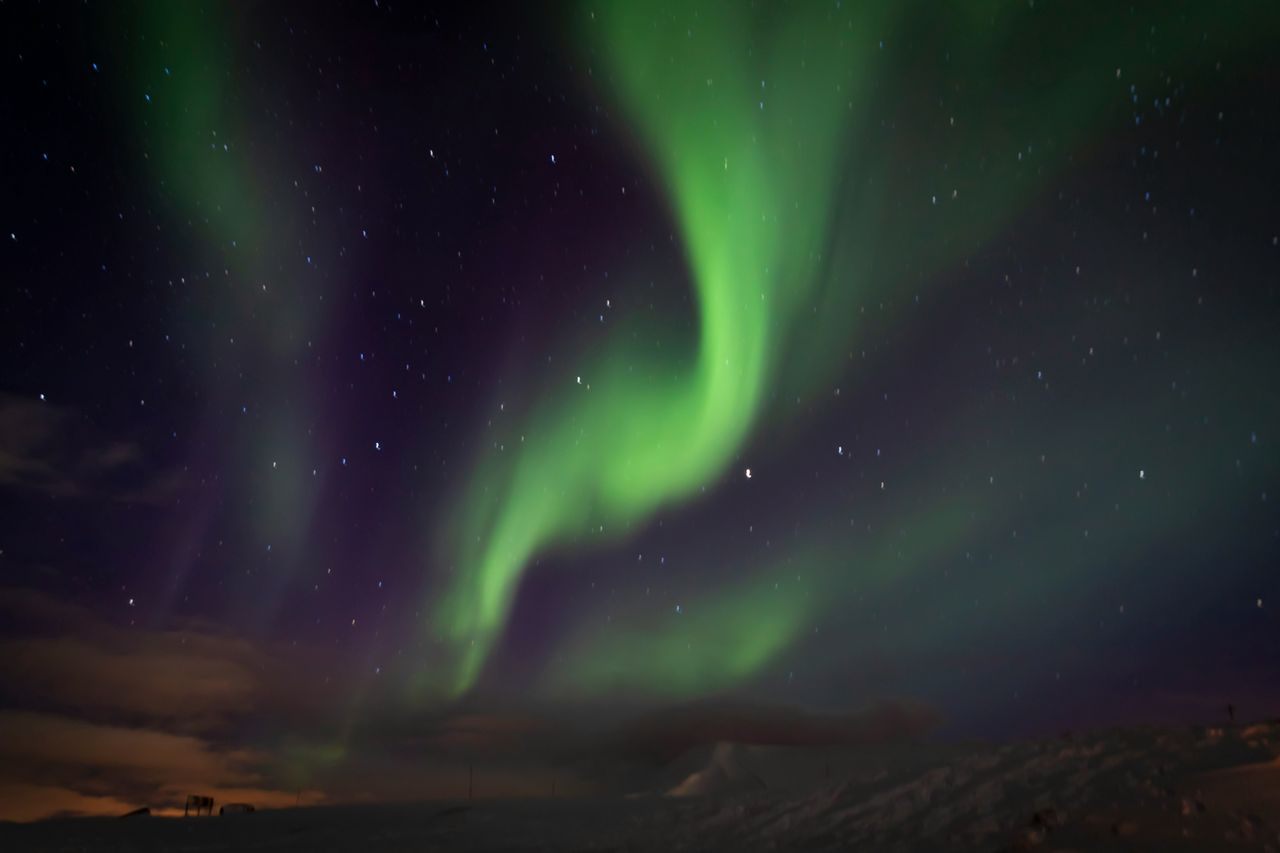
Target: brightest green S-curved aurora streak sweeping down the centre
(751, 190)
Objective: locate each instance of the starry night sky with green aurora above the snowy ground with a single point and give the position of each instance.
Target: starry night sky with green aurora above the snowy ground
(386, 390)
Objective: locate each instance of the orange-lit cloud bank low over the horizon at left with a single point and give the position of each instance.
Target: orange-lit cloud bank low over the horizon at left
(106, 718)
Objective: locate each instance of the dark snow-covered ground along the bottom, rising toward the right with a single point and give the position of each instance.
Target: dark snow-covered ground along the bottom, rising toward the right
(1192, 790)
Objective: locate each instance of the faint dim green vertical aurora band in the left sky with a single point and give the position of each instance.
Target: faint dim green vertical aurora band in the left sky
(212, 175)
